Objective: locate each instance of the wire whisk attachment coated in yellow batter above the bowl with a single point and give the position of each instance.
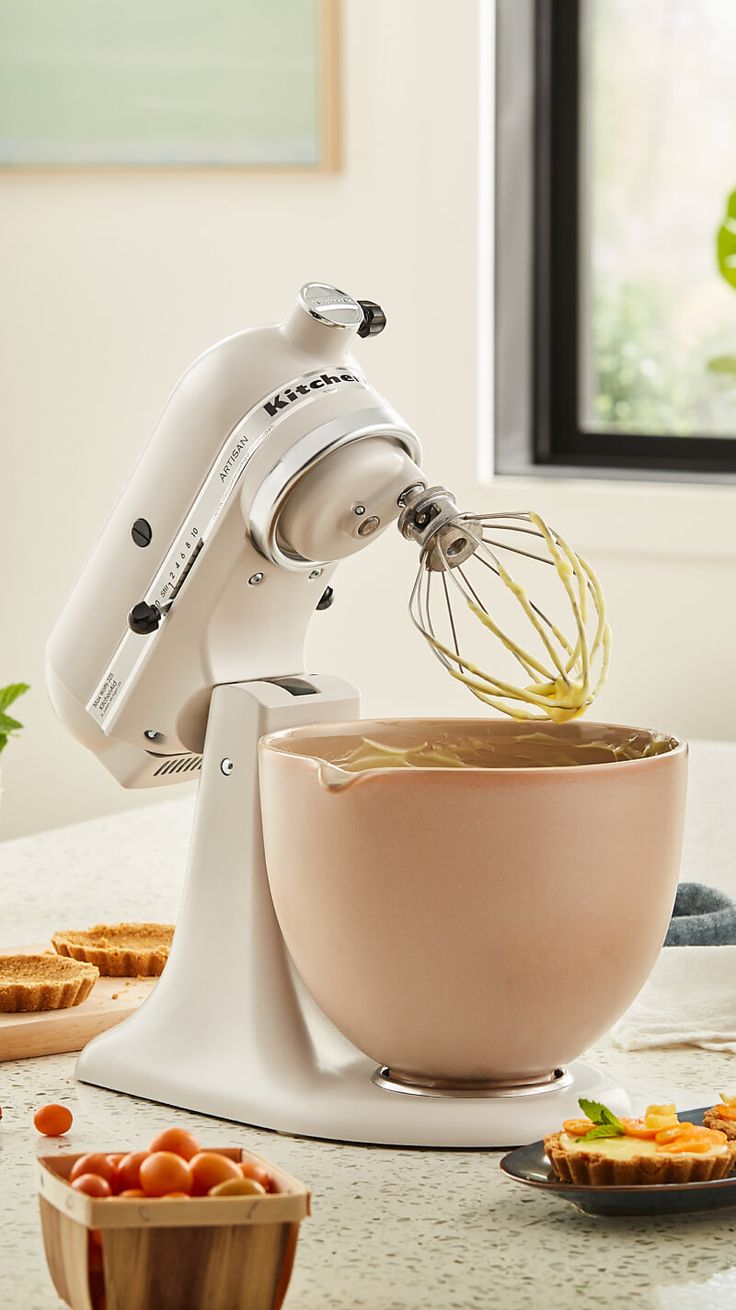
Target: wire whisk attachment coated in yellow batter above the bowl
(466, 590)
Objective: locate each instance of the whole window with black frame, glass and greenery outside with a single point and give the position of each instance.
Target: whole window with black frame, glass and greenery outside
(616, 346)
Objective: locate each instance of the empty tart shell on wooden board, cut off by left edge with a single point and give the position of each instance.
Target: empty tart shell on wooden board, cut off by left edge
(33, 983)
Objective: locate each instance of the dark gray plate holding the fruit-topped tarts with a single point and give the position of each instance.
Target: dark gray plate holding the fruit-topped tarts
(530, 1165)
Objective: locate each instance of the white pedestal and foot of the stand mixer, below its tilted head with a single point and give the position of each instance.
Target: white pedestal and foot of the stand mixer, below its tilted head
(265, 1054)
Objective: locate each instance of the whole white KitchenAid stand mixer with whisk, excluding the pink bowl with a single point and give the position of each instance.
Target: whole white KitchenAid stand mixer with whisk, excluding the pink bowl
(181, 646)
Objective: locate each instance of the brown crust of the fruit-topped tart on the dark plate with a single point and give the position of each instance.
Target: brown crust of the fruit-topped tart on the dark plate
(590, 1169)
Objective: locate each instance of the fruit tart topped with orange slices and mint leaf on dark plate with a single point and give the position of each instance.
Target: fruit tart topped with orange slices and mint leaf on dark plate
(603, 1151)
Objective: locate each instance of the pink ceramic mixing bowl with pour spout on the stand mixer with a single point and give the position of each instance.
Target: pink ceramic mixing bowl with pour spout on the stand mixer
(479, 924)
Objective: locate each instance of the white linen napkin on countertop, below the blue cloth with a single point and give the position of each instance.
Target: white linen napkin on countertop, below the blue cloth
(688, 1000)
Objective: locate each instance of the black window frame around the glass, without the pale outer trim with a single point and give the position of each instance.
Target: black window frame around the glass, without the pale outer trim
(557, 437)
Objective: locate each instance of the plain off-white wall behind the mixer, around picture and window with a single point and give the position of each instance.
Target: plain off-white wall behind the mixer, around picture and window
(113, 282)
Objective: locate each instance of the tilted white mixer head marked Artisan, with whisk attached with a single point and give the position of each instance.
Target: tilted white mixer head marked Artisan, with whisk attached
(274, 460)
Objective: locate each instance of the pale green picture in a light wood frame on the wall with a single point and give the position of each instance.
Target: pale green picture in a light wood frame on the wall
(170, 84)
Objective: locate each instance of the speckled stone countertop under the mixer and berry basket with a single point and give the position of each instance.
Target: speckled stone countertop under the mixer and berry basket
(391, 1229)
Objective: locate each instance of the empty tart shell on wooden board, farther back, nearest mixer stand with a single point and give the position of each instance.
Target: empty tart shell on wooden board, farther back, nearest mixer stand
(120, 950)
